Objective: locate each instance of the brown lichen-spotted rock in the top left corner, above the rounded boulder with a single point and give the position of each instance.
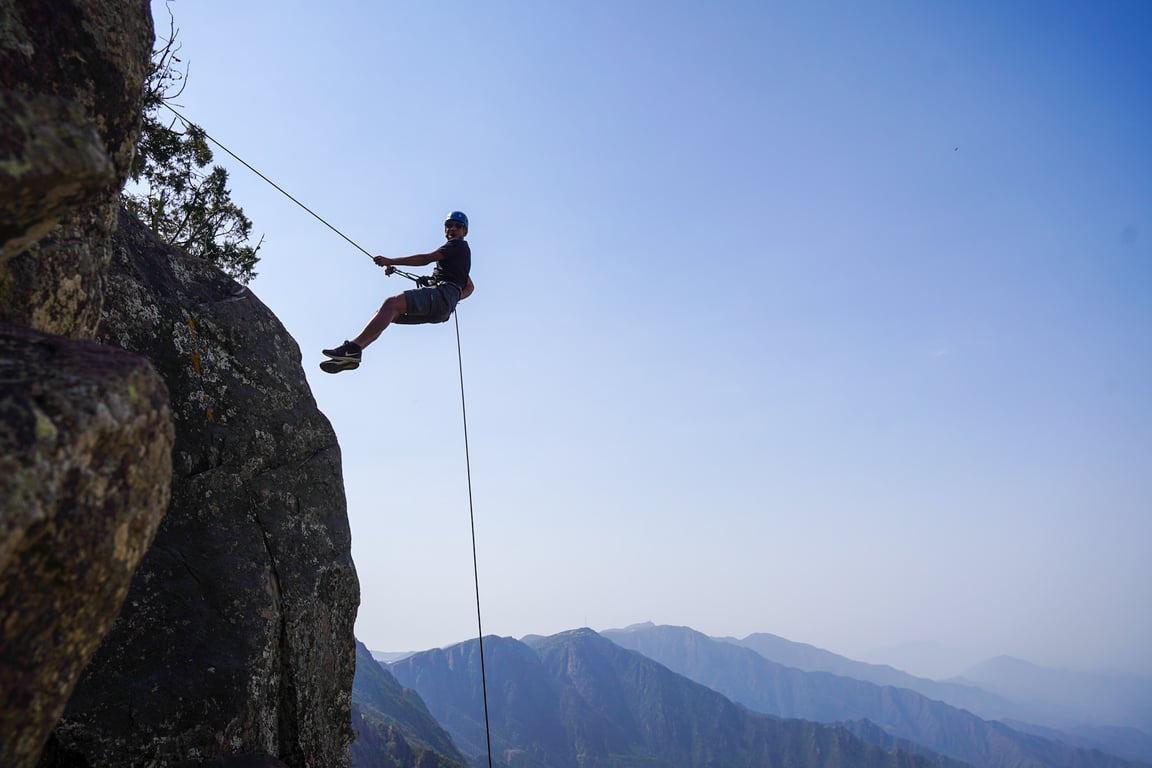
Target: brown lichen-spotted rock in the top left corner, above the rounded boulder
(72, 75)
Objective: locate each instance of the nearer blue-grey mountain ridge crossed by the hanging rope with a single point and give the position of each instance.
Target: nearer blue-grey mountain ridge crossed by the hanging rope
(578, 701)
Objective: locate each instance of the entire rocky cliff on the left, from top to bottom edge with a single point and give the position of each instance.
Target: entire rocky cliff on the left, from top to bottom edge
(139, 385)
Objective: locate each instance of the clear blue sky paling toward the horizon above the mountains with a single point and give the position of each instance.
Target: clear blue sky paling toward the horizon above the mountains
(824, 320)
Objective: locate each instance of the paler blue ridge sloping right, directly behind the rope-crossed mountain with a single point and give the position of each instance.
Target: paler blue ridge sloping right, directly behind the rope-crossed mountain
(763, 686)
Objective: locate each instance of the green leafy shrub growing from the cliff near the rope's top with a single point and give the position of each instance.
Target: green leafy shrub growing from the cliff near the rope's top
(172, 189)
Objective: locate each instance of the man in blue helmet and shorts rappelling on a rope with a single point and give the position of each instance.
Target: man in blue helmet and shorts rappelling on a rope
(433, 301)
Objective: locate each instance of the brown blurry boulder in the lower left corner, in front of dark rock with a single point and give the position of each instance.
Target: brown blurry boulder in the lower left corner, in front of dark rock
(86, 447)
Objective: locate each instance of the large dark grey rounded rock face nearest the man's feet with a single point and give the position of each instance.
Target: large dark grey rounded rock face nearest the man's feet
(237, 637)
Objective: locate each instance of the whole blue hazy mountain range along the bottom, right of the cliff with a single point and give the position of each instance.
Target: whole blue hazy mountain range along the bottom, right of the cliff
(665, 697)
